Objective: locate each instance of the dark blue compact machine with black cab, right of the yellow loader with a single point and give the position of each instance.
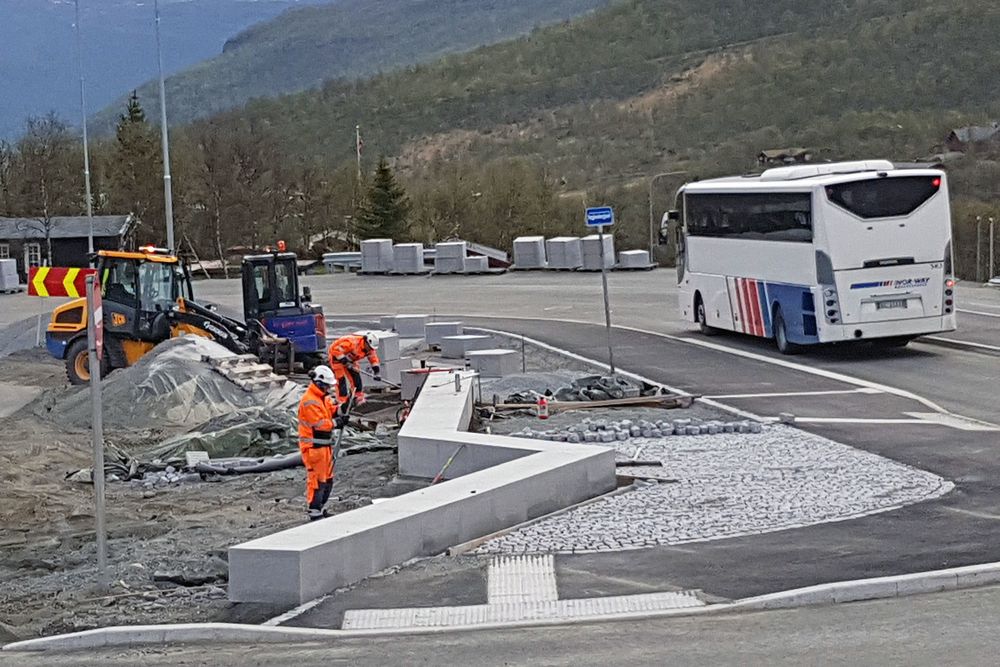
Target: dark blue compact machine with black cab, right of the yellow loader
(273, 306)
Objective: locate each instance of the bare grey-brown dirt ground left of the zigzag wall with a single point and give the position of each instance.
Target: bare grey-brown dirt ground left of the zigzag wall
(167, 546)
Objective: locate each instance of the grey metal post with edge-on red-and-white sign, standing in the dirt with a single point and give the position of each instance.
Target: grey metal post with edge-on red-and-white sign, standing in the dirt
(95, 345)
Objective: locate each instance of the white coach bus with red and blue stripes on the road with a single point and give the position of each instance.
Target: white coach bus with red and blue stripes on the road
(818, 254)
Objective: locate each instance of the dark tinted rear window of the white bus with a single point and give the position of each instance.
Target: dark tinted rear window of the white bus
(884, 197)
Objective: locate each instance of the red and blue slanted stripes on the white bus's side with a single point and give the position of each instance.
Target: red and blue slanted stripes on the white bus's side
(753, 303)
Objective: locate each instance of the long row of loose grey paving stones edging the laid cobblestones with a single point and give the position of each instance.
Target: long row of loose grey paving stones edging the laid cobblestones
(605, 430)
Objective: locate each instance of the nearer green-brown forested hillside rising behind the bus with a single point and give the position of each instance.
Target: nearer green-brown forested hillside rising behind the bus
(515, 138)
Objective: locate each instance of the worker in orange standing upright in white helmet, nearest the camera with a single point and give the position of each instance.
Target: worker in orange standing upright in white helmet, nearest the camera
(317, 421)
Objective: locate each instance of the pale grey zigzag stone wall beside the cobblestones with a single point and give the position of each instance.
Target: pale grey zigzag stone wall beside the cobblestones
(499, 481)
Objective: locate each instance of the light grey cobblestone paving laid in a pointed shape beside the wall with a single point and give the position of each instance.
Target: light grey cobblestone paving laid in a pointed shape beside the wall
(717, 486)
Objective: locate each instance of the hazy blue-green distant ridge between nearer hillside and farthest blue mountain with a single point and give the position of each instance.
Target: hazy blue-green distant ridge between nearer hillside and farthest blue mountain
(348, 38)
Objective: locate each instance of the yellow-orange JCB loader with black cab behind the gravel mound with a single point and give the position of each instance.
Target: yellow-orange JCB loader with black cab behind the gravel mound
(147, 298)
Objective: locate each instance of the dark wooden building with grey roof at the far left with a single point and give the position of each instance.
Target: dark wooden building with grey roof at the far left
(27, 239)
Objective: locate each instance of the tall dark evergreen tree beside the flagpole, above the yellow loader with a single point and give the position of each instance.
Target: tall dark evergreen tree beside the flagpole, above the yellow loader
(135, 170)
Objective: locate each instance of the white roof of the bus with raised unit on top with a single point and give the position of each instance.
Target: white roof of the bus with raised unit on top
(806, 176)
